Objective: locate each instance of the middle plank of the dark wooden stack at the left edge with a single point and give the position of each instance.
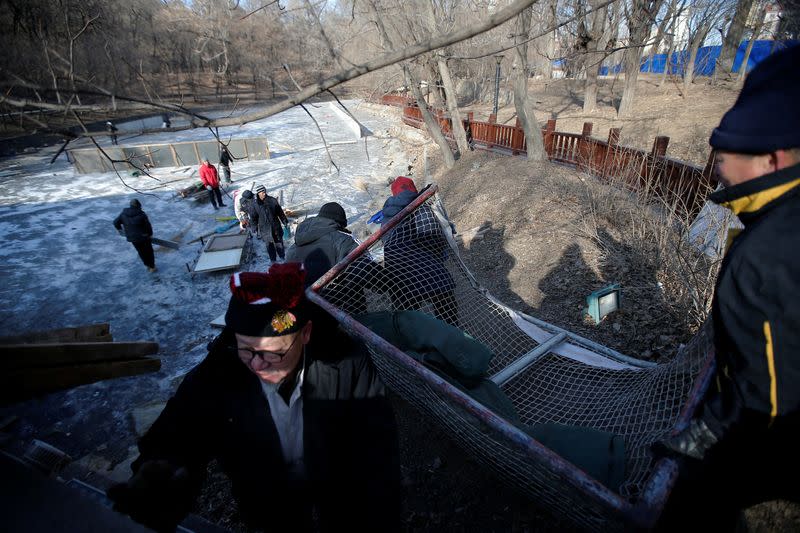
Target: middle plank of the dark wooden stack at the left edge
(17, 356)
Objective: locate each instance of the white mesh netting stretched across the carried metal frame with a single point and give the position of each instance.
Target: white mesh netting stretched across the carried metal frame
(415, 266)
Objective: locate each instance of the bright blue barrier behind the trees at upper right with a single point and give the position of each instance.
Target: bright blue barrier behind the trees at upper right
(706, 60)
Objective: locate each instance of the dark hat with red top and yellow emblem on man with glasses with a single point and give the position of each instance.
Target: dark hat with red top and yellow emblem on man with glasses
(268, 304)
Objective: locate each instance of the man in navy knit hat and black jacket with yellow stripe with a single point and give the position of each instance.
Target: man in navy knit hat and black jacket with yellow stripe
(743, 446)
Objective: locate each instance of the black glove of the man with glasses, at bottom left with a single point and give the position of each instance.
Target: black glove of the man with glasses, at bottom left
(158, 495)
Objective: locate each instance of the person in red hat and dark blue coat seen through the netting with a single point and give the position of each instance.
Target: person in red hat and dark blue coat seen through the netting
(414, 252)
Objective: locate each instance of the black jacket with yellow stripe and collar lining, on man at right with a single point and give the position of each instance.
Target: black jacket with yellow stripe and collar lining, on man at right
(754, 405)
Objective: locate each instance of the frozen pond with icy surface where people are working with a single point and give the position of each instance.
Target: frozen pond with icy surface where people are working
(63, 264)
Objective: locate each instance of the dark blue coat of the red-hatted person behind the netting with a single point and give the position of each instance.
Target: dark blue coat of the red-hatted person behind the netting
(414, 251)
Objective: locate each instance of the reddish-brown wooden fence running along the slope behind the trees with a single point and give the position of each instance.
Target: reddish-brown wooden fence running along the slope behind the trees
(607, 160)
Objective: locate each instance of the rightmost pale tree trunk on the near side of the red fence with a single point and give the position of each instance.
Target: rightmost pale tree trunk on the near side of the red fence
(533, 133)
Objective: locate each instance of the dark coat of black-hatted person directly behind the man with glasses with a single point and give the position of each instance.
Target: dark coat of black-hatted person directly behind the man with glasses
(320, 243)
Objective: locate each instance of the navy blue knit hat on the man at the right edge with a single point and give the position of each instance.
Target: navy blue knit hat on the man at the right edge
(766, 115)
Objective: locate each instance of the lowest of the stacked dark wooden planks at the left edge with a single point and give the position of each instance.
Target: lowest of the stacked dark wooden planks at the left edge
(28, 383)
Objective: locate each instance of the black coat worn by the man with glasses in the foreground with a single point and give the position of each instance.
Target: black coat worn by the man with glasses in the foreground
(350, 439)
